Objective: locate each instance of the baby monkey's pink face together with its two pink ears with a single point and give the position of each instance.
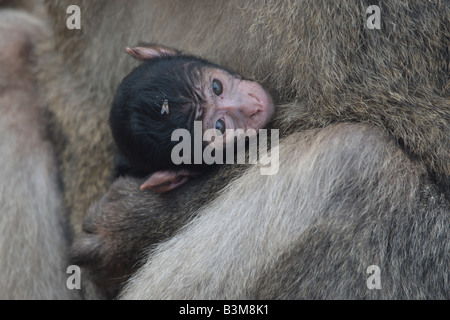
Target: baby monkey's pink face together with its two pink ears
(229, 103)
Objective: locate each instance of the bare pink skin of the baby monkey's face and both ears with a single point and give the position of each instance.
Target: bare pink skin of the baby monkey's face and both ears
(243, 104)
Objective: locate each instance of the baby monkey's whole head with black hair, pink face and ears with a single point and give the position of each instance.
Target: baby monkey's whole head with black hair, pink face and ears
(168, 91)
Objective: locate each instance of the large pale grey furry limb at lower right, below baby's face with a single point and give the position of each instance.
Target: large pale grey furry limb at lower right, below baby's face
(337, 205)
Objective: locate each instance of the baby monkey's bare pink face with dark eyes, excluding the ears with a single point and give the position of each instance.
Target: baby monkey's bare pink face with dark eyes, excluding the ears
(233, 103)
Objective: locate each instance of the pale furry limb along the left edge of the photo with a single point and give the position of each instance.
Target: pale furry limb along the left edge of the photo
(33, 235)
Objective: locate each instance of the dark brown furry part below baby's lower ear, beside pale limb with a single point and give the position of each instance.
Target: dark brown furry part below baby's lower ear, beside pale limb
(125, 223)
